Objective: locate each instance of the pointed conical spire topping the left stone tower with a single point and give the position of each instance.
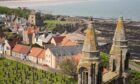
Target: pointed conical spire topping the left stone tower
(90, 42)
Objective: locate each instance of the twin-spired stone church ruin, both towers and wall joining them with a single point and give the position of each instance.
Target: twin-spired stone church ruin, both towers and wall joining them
(89, 67)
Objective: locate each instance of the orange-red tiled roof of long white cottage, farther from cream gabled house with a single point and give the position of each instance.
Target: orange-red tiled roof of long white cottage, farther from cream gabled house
(21, 49)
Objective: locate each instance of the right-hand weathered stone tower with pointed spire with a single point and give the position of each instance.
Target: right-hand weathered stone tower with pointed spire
(119, 54)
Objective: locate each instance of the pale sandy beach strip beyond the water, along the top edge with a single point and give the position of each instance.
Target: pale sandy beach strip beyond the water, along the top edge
(24, 3)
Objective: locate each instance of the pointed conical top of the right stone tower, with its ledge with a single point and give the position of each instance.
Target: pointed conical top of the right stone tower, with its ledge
(119, 39)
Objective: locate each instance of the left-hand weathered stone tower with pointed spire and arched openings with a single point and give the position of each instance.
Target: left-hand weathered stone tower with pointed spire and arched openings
(89, 71)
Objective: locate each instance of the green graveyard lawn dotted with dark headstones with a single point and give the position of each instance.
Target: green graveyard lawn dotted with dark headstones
(12, 72)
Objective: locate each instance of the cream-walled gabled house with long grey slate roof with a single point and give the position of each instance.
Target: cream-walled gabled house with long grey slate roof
(56, 54)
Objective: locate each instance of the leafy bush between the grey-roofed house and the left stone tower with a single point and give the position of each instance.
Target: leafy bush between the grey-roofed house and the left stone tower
(69, 67)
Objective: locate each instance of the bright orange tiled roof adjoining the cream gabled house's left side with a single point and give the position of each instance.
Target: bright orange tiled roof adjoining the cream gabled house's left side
(37, 52)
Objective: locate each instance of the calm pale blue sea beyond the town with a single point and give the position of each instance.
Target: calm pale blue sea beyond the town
(129, 9)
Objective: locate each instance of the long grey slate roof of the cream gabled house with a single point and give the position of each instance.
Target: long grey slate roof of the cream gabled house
(66, 50)
